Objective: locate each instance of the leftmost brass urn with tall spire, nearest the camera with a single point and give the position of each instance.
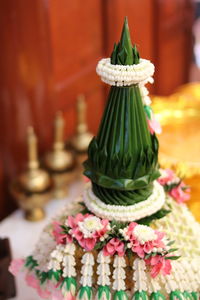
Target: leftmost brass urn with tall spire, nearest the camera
(32, 188)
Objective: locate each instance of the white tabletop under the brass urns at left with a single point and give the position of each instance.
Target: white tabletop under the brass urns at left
(23, 235)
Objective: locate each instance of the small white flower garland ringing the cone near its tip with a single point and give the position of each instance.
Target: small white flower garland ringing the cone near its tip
(119, 75)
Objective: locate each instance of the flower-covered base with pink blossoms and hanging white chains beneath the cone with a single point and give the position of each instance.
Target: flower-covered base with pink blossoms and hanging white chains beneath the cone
(82, 256)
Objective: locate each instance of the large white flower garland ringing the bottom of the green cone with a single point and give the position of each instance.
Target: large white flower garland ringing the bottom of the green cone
(120, 213)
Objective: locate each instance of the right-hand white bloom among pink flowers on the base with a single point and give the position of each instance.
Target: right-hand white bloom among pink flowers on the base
(144, 233)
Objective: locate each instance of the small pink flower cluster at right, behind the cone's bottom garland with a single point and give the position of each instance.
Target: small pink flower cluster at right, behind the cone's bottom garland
(174, 186)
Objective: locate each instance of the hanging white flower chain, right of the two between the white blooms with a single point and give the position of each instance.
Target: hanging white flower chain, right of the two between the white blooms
(119, 274)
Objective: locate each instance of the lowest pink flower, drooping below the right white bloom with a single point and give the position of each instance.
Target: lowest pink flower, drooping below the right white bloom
(158, 265)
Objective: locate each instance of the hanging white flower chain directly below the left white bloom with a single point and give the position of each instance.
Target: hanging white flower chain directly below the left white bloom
(87, 269)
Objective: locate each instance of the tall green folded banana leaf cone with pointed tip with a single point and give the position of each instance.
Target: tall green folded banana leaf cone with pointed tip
(122, 158)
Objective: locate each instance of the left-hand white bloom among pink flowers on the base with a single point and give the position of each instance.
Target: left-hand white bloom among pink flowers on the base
(89, 226)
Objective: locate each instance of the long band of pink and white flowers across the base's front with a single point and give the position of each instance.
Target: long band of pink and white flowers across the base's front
(91, 232)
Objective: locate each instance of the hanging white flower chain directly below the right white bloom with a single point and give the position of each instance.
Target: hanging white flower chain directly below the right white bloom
(139, 275)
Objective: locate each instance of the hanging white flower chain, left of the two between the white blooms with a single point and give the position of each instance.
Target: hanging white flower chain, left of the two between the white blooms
(103, 269)
